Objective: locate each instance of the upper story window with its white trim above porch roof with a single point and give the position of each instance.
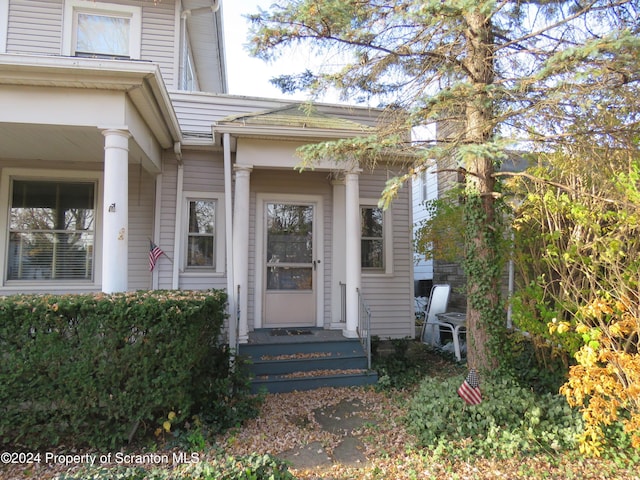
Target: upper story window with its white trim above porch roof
(104, 30)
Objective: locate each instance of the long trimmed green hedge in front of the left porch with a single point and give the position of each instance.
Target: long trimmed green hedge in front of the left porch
(99, 369)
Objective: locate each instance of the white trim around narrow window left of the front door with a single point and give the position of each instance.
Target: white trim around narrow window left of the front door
(219, 239)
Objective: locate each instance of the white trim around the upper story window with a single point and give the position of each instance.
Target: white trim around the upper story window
(71, 7)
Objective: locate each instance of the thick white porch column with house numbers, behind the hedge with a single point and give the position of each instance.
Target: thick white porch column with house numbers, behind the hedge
(115, 212)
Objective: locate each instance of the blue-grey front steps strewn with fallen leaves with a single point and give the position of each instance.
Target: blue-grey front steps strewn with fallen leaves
(305, 360)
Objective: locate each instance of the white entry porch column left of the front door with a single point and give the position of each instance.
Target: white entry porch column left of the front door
(241, 246)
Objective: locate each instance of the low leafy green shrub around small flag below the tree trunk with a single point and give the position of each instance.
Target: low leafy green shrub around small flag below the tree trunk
(510, 420)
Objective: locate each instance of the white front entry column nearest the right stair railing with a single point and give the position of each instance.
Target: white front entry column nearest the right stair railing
(352, 250)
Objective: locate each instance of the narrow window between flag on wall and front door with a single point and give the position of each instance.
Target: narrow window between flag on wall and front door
(201, 236)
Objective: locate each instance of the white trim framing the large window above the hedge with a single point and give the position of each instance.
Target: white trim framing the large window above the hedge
(9, 174)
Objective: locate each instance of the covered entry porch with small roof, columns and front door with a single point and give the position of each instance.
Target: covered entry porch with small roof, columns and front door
(295, 235)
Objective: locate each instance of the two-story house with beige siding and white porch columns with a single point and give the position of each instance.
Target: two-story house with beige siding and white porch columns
(115, 131)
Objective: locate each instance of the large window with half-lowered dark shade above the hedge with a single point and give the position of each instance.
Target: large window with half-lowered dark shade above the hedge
(51, 230)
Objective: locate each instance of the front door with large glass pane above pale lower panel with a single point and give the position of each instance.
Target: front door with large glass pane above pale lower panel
(290, 269)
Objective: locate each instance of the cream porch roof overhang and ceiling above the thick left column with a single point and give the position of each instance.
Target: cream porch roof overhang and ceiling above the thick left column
(55, 108)
